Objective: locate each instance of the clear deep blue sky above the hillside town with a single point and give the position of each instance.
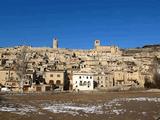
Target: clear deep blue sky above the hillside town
(77, 23)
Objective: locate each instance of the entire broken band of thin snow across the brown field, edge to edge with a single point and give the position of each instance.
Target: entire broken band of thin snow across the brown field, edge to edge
(113, 107)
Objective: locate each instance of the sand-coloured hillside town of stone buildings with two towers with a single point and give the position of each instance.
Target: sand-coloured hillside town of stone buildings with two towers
(30, 69)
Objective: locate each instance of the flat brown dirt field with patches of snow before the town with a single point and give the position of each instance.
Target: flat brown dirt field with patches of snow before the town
(81, 106)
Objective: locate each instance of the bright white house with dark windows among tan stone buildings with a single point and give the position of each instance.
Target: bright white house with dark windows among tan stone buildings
(83, 81)
